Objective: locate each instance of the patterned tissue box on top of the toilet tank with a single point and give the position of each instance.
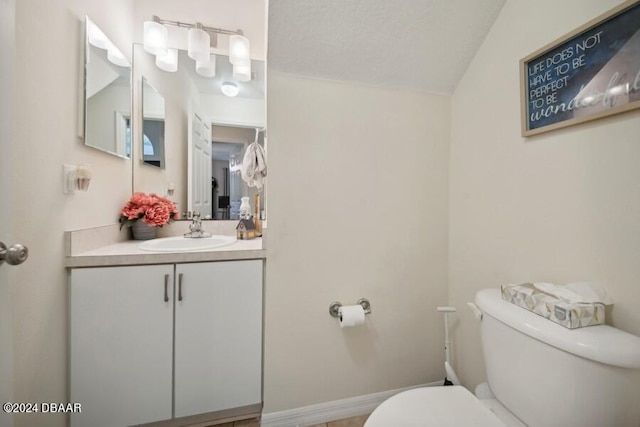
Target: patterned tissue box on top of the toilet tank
(569, 315)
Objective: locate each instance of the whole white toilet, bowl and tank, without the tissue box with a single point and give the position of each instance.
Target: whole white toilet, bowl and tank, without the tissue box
(539, 374)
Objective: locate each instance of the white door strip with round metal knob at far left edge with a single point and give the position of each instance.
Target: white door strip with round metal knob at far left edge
(7, 273)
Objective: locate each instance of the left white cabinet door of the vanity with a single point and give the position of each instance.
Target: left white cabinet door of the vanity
(121, 342)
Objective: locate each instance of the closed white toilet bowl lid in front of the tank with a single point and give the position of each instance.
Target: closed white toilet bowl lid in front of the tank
(451, 406)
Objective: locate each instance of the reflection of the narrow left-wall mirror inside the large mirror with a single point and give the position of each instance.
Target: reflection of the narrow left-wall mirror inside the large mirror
(153, 115)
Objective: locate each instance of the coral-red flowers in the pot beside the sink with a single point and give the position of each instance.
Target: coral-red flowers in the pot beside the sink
(152, 209)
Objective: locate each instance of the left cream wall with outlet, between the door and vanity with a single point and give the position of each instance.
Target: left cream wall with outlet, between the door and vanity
(47, 121)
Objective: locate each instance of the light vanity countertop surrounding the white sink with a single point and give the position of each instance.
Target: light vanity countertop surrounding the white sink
(128, 253)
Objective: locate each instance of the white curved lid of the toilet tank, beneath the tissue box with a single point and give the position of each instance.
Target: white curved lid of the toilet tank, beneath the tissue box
(601, 343)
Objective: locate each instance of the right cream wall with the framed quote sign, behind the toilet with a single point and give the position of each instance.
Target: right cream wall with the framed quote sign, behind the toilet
(559, 207)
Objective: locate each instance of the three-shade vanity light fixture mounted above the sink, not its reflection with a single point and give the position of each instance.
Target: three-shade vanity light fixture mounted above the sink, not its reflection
(200, 39)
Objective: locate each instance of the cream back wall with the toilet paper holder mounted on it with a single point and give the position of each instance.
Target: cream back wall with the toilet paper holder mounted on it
(334, 149)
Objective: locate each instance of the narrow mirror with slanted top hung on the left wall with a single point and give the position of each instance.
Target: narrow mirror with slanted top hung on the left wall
(107, 100)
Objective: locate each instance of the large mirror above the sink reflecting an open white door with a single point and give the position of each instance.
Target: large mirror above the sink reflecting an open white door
(204, 130)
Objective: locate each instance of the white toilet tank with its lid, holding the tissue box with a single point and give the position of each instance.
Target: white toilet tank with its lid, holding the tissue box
(548, 375)
